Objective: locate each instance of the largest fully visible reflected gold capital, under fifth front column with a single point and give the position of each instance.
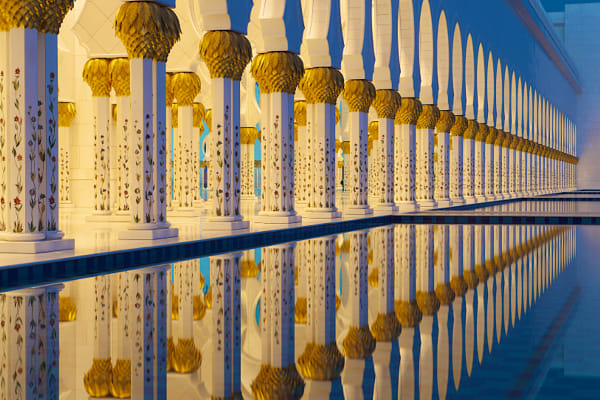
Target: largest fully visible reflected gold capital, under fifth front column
(321, 362)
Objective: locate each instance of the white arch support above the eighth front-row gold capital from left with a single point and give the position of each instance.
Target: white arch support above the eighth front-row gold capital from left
(406, 45)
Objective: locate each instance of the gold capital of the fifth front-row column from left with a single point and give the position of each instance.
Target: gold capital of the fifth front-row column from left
(322, 85)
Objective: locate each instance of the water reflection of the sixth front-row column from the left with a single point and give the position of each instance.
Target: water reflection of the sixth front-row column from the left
(359, 343)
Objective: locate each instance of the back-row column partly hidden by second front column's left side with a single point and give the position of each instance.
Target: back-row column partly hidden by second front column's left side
(119, 77)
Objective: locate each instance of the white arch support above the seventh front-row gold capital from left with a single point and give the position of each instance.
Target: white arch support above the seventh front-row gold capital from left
(382, 43)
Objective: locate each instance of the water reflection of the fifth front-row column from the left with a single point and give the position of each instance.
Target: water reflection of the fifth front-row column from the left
(321, 361)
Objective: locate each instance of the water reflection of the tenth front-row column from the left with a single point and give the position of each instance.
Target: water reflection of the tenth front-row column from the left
(446, 296)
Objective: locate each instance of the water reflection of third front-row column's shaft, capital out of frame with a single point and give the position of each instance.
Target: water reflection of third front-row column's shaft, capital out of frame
(226, 327)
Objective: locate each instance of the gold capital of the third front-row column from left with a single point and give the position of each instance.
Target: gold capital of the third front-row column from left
(226, 53)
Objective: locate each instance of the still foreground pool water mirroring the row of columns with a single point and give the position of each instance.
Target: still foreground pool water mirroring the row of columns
(395, 312)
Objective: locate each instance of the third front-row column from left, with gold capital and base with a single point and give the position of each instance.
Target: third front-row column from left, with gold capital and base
(217, 49)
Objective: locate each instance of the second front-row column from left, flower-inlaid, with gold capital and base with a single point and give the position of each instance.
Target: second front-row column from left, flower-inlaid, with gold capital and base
(147, 143)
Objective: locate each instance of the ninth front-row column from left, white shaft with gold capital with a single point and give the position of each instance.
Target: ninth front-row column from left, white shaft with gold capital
(425, 179)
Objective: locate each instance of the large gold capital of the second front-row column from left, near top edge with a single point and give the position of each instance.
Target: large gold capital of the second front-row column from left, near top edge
(147, 29)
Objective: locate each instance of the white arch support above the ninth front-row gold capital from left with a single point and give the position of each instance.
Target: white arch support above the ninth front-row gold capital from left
(426, 54)
